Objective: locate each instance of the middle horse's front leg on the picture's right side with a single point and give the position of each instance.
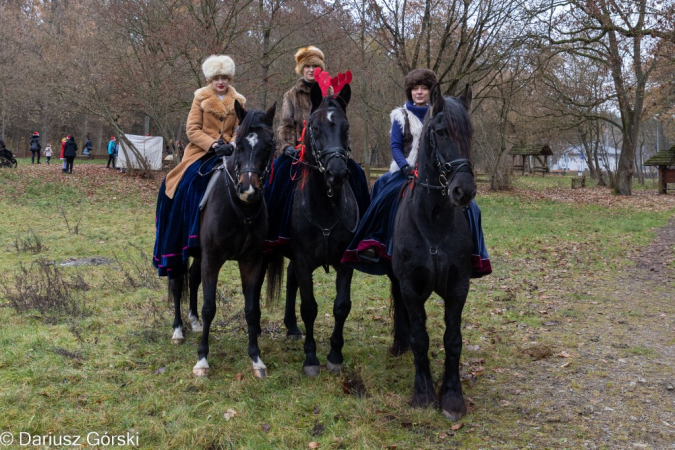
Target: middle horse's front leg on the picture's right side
(341, 308)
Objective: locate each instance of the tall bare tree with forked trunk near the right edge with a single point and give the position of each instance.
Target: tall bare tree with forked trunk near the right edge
(622, 35)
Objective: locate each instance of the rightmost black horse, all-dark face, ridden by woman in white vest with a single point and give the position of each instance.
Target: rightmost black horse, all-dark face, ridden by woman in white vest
(433, 245)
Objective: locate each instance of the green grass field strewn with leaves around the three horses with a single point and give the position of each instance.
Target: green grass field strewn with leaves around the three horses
(108, 366)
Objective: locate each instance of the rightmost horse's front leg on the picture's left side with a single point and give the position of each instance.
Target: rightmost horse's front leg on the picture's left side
(414, 293)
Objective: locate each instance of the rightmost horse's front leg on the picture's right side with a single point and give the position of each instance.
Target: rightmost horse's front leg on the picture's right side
(452, 401)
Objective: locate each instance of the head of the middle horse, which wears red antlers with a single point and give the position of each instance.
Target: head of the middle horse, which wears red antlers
(328, 134)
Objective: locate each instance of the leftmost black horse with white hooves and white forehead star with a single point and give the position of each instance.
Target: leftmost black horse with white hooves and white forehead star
(233, 225)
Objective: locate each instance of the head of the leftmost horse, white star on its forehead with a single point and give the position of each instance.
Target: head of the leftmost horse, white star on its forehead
(255, 148)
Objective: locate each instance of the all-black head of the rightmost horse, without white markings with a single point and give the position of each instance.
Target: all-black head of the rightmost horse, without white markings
(447, 139)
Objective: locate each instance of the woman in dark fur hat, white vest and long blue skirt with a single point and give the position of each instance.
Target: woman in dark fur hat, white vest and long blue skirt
(373, 239)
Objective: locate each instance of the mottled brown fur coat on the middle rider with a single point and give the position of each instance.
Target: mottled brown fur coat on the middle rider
(296, 108)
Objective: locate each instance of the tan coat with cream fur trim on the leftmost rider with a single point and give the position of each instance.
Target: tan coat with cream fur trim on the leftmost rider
(210, 119)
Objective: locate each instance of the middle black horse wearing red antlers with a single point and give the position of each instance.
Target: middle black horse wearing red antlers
(324, 217)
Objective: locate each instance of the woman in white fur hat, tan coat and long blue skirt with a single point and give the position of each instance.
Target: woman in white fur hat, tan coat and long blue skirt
(210, 127)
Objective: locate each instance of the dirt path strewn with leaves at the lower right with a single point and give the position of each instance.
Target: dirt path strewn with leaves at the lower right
(610, 380)
